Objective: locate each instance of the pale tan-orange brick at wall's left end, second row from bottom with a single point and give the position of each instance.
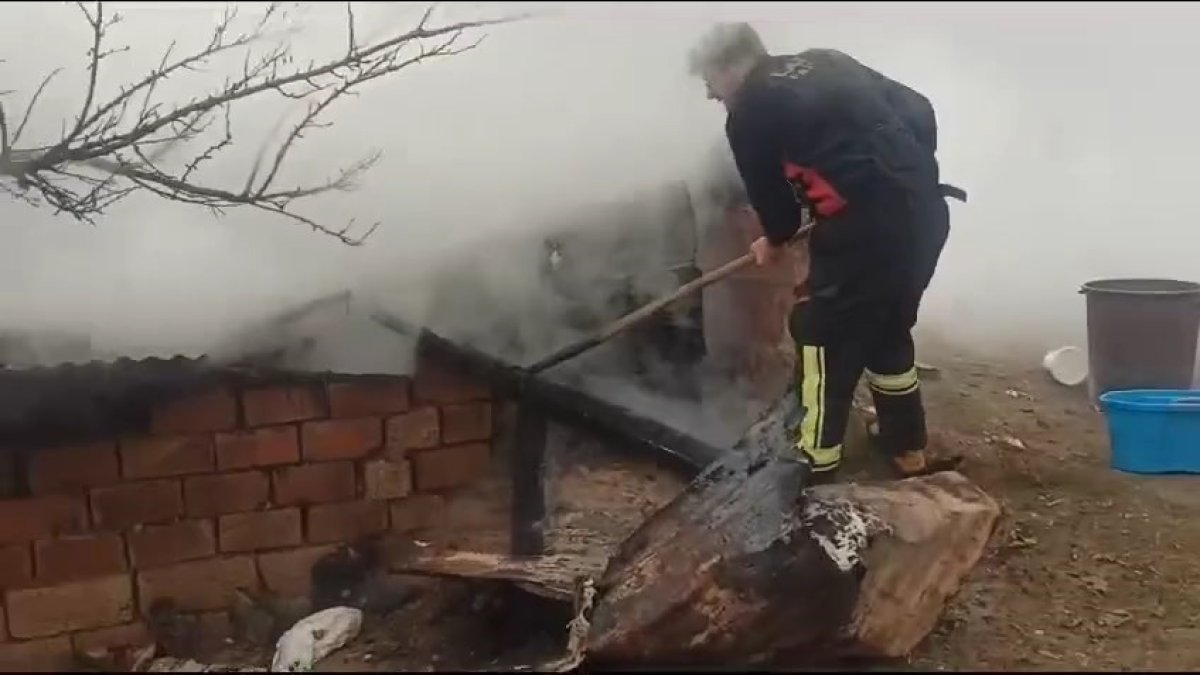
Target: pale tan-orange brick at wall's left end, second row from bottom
(79, 606)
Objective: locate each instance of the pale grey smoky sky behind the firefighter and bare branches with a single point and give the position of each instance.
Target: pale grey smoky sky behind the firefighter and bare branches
(1071, 126)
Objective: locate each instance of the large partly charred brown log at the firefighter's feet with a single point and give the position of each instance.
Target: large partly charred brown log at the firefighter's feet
(745, 570)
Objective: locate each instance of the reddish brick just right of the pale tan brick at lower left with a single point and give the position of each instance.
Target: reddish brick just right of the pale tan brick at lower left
(199, 586)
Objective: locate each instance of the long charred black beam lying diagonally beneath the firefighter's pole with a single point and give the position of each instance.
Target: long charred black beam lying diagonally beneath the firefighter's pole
(627, 429)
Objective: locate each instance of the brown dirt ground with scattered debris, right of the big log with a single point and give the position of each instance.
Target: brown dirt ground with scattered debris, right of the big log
(1090, 569)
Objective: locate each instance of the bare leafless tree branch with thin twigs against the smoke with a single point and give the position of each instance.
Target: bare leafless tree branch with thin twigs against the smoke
(117, 147)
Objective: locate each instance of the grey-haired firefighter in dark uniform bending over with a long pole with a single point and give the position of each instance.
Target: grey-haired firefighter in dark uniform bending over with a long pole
(820, 133)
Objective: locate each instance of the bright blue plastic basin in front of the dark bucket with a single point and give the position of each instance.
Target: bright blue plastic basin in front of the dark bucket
(1154, 431)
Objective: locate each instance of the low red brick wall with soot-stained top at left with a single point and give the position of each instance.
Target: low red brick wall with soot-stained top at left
(236, 487)
